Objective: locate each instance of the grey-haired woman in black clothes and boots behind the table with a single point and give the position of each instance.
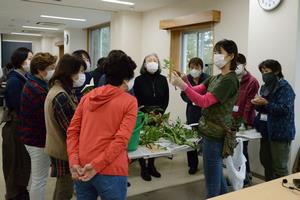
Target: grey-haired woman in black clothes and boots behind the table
(152, 91)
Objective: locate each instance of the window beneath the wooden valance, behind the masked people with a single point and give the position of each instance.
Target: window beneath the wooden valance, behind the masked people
(197, 44)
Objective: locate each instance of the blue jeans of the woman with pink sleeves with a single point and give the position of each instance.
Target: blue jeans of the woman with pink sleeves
(213, 170)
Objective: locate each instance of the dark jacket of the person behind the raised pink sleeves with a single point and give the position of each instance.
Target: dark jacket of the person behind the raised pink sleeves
(193, 112)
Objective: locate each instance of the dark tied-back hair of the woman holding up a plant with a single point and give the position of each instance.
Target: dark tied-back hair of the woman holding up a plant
(231, 48)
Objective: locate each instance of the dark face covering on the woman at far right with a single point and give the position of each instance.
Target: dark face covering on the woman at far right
(271, 81)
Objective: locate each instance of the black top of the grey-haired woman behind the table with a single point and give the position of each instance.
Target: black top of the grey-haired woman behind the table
(152, 90)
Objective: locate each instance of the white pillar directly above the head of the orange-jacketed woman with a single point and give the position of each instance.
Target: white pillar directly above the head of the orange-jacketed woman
(126, 34)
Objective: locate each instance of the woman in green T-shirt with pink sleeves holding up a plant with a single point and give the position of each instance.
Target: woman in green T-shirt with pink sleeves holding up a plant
(217, 96)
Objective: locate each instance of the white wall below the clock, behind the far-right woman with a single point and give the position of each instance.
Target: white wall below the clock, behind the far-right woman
(274, 35)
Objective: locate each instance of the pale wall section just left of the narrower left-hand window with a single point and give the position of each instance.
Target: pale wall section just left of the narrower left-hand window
(77, 40)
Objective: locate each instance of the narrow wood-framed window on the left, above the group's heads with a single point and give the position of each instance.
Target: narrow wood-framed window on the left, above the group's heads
(99, 43)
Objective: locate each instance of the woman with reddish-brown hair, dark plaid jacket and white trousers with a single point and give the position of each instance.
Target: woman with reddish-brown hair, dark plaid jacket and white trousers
(32, 121)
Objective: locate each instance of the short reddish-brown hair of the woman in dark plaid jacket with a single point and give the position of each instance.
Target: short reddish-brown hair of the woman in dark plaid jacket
(41, 61)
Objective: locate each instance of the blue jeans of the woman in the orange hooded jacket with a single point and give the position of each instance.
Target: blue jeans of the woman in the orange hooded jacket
(107, 187)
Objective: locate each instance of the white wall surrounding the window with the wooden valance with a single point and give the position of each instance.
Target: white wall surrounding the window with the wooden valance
(156, 40)
